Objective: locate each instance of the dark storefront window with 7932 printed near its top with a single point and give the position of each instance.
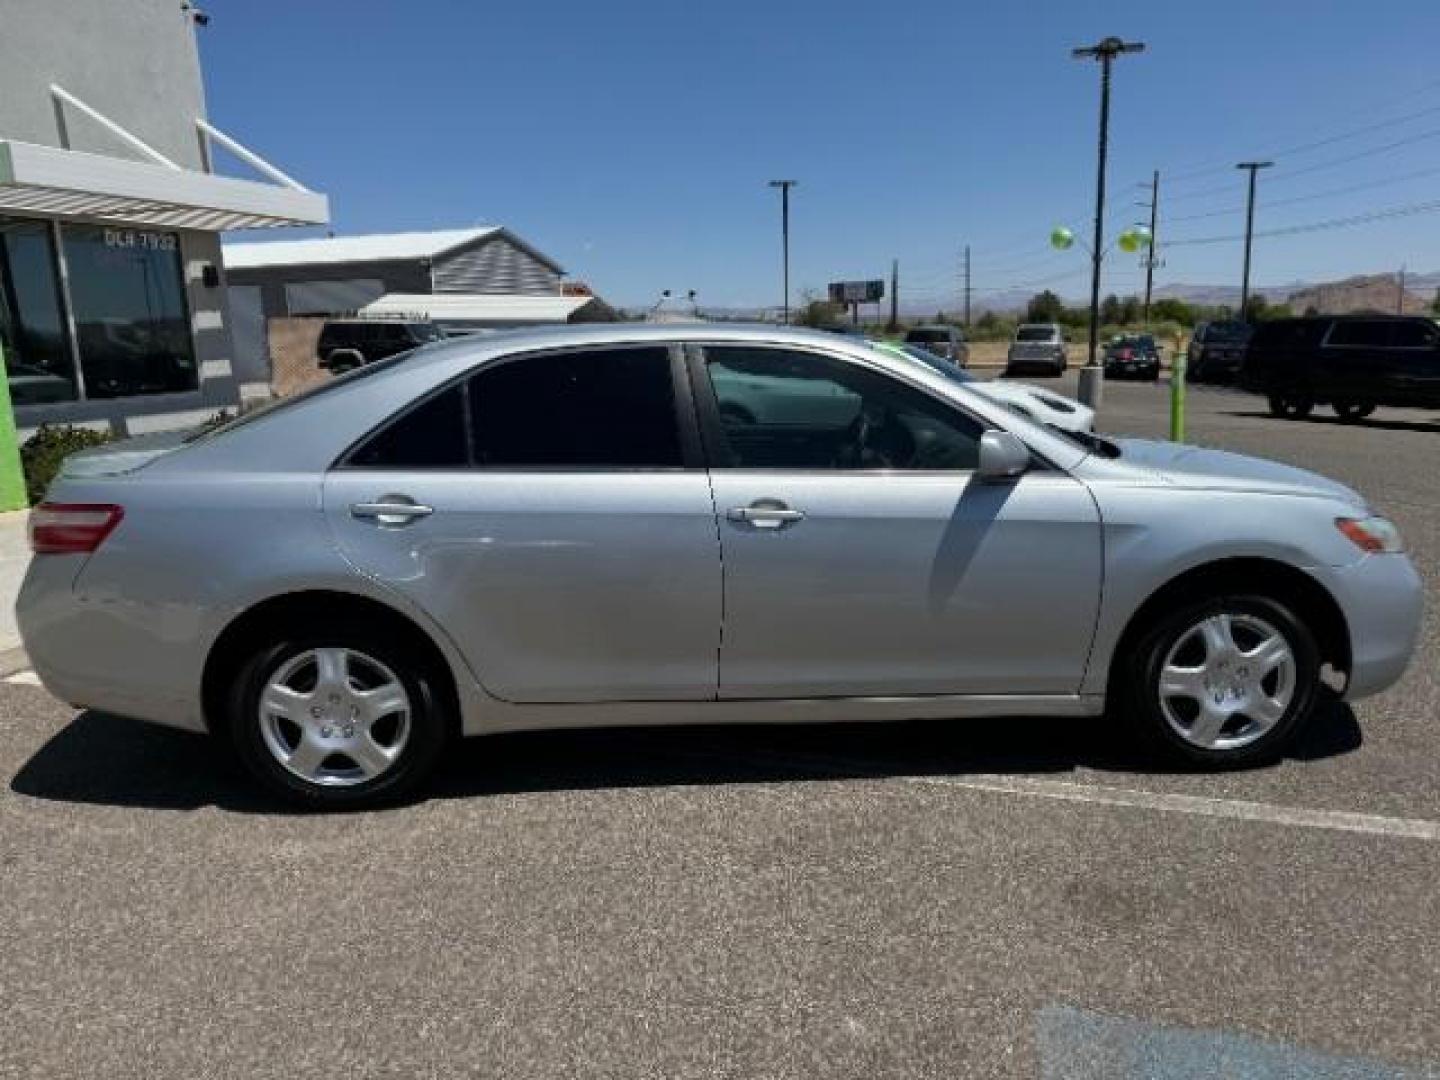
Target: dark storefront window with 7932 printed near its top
(127, 294)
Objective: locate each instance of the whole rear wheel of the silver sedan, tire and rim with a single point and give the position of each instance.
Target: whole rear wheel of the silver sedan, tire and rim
(343, 719)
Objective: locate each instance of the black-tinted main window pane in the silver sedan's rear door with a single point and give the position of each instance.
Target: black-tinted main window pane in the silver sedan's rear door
(587, 410)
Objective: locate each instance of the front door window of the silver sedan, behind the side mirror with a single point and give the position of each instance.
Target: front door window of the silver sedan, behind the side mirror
(801, 411)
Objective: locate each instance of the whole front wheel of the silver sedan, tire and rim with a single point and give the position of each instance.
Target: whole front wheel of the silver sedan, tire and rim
(1223, 683)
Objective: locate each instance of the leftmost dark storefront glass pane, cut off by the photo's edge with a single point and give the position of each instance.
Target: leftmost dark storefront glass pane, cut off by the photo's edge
(32, 326)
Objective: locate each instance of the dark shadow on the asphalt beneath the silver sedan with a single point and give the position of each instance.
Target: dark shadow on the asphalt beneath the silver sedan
(107, 761)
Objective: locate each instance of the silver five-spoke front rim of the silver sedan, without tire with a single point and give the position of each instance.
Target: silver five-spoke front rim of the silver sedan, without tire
(1228, 682)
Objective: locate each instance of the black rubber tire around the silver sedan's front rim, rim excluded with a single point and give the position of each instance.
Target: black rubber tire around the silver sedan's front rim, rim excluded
(1138, 673)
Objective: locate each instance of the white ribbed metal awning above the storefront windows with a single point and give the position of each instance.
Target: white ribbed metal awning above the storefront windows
(50, 181)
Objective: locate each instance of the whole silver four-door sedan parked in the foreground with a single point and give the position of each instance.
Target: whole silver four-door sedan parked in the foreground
(552, 528)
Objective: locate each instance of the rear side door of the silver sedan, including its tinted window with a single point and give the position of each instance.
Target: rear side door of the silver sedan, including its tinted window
(552, 513)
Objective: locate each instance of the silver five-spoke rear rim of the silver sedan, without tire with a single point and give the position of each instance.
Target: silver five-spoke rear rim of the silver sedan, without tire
(335, 718)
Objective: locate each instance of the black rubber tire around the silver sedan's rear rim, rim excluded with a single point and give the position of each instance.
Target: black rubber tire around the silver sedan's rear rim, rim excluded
(430, 722)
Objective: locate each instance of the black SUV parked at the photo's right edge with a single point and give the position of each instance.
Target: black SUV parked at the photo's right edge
(1351, 364)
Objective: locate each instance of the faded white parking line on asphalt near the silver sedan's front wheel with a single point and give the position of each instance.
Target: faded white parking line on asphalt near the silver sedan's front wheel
(1236, 810)
